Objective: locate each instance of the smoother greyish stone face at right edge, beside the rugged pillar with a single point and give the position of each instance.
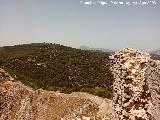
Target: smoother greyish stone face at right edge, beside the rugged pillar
(153, 79)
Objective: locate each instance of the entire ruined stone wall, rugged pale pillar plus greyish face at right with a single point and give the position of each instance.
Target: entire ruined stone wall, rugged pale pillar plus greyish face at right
(136, 86)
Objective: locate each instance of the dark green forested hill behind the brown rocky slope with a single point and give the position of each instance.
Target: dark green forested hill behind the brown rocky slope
(56, 67)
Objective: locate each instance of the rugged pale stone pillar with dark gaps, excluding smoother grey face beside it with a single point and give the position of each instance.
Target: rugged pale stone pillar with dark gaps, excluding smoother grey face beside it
(132, 97)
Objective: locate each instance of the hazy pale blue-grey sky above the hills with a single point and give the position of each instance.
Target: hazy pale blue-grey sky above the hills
(71, 23)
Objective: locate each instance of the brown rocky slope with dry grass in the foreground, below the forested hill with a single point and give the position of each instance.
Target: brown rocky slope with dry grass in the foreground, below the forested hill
(19, 102)
